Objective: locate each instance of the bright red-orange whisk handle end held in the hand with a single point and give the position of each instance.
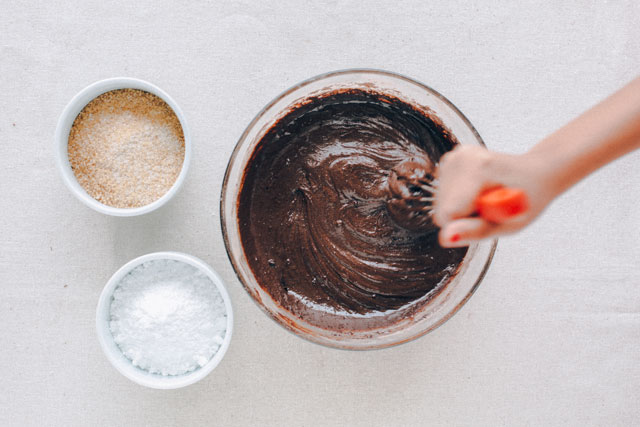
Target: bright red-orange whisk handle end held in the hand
(500, 204)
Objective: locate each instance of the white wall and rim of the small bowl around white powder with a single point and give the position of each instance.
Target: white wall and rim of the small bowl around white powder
(124, 365)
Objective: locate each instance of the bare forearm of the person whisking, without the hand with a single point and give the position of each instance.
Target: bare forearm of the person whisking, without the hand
(607, 131)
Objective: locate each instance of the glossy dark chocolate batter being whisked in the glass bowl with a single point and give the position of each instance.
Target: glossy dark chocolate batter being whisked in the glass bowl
(327, 227)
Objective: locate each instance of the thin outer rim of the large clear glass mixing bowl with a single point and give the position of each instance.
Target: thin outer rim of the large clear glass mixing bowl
(224, 213)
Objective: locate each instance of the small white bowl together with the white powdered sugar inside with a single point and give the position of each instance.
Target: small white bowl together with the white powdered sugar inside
(165, 320)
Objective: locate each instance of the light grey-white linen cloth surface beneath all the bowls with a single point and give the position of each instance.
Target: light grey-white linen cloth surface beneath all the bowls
(552, 336)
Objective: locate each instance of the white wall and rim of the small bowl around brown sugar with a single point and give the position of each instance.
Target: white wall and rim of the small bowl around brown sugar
(74, 108)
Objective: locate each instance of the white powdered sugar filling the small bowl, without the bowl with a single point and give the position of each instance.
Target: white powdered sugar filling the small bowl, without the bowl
(167, 317)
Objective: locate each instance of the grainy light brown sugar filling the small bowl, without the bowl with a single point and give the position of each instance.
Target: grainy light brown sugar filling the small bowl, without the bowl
(126, 148)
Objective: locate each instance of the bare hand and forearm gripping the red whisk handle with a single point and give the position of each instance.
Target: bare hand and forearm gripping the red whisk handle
(607, 131)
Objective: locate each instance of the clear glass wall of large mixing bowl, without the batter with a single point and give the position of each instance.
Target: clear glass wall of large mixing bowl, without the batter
(444, 303)
